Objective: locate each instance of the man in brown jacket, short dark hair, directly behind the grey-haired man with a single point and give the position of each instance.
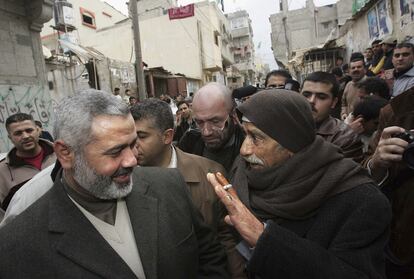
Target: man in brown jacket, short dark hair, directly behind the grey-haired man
(155, 130)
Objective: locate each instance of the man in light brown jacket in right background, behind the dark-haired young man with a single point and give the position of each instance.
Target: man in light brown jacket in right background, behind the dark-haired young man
(357, 73)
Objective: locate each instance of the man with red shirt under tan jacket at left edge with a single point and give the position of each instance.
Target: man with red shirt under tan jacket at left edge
(28, 157)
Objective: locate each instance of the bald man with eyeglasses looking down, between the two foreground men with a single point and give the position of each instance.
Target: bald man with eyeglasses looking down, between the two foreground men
(218, 136)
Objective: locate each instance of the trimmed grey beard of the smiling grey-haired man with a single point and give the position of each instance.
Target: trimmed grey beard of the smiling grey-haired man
(100, 186)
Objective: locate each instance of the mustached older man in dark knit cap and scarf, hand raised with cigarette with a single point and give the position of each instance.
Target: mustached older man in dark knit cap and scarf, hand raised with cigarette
(301, 208)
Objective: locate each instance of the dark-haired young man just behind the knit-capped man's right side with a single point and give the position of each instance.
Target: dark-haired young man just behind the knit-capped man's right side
(321, 90)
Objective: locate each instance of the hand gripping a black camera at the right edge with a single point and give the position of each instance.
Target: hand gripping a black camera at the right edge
(389, 149)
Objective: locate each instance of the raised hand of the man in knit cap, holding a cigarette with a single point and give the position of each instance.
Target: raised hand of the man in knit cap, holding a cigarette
(249, 227)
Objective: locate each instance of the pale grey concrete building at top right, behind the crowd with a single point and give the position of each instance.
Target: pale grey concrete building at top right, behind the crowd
(298, 30)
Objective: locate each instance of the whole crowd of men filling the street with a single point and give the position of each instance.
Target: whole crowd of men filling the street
(320, 180)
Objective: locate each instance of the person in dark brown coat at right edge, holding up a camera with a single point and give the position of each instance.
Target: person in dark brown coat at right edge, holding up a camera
(391, 172)
